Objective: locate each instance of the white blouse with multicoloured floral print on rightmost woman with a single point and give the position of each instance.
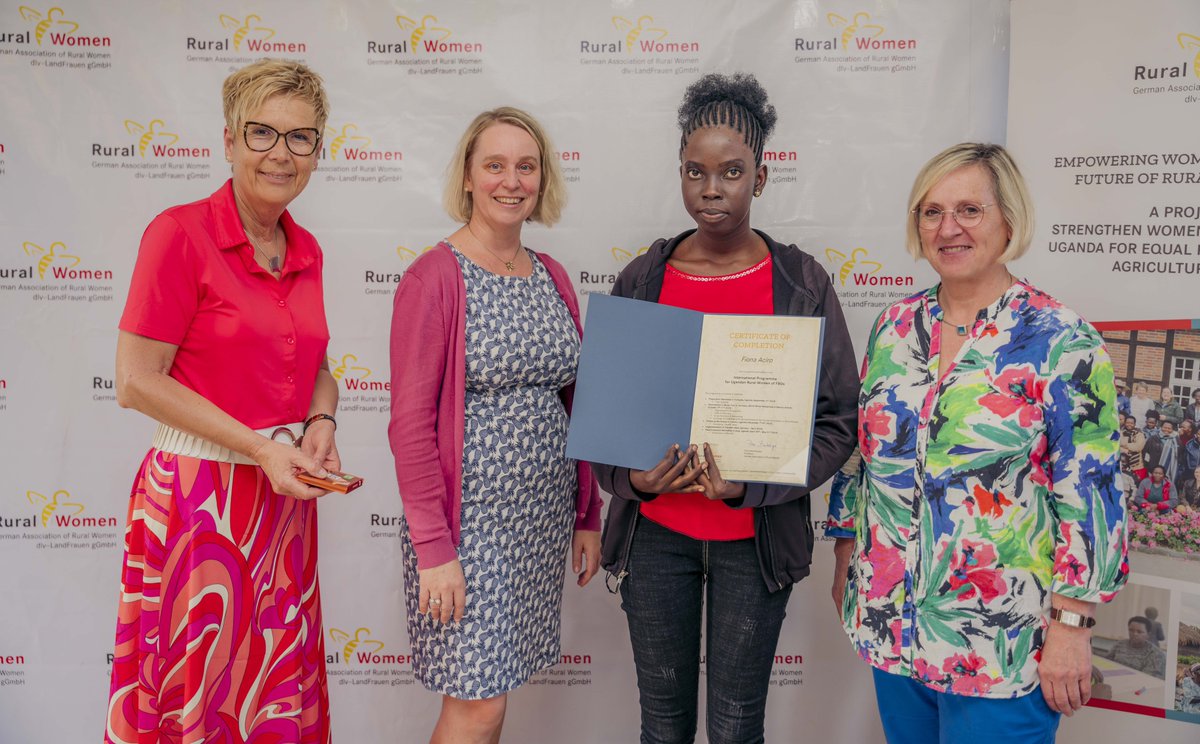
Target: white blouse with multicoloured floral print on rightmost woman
(979, 494)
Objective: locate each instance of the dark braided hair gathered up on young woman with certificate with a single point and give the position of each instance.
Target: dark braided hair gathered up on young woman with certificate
(736, 101)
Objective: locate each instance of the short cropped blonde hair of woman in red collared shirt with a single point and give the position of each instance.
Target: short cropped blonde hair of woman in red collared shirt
(247, 91)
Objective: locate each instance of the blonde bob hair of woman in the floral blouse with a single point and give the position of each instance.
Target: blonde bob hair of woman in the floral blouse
(1007, 183)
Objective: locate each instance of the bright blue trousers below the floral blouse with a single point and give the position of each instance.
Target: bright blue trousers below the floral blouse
(916, 715)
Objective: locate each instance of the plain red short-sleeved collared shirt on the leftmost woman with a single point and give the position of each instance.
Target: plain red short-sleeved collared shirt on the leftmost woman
(248, 343)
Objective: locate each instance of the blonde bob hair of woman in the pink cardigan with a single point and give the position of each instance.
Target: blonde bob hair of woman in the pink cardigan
(553, 193)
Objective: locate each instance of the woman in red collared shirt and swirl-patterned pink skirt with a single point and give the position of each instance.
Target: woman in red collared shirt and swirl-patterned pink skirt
(223, 341)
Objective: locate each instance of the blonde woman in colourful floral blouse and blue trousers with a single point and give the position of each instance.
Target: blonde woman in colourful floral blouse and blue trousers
(982, 523)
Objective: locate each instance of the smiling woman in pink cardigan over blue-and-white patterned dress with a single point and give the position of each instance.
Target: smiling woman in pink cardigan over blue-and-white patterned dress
(485, 341)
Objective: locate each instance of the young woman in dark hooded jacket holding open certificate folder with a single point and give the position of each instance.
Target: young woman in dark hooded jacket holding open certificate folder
(680, 537)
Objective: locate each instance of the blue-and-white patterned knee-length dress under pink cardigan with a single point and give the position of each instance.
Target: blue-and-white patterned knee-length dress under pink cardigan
(518, 496)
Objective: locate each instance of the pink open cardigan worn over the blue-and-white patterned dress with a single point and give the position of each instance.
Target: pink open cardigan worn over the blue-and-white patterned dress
(429, 340)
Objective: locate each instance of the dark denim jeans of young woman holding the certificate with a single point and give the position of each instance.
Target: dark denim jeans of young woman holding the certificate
(671, 577)
